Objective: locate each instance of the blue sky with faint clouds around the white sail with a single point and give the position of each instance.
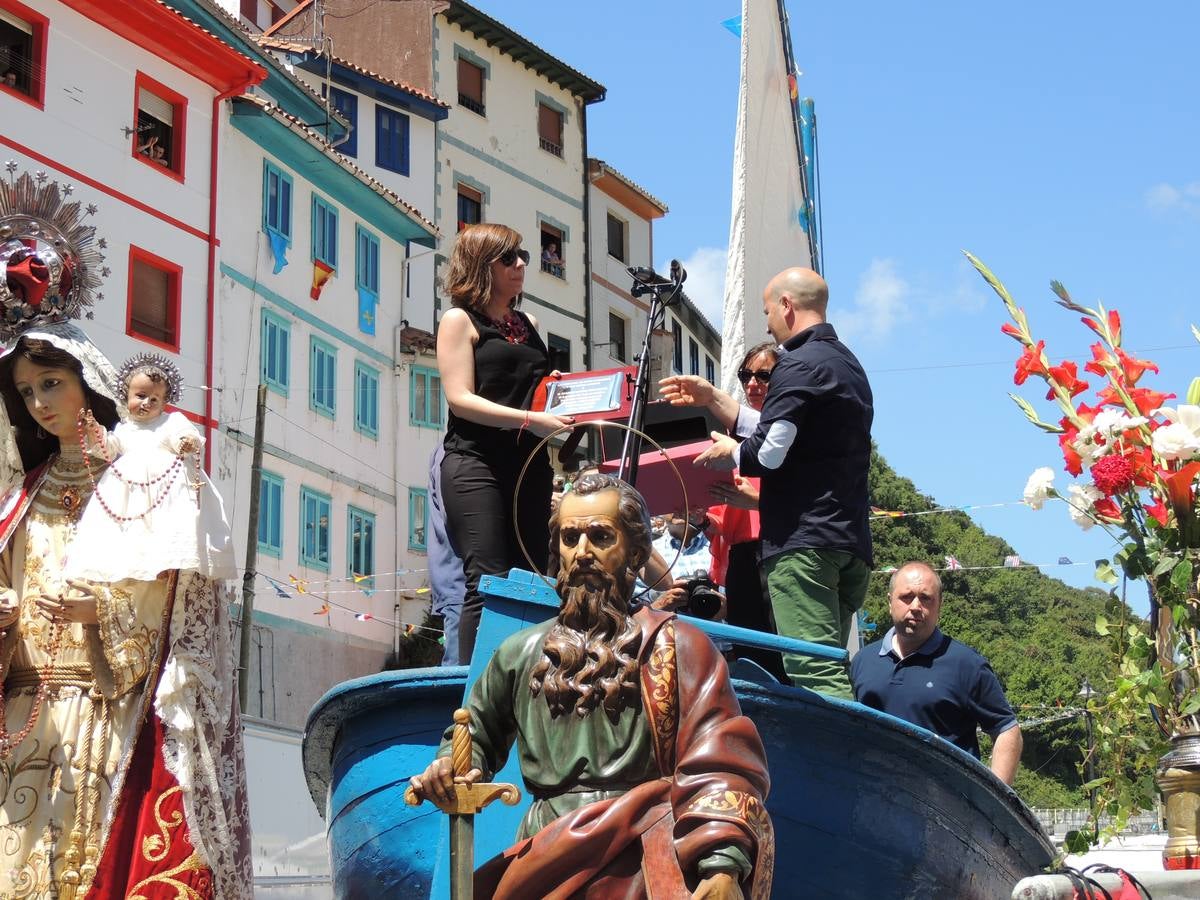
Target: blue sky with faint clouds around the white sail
(1052, 141)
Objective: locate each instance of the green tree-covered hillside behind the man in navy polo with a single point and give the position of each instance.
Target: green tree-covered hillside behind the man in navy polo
(1039, 633)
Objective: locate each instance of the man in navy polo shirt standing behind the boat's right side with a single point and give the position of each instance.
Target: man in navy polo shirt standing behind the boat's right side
(920, 675)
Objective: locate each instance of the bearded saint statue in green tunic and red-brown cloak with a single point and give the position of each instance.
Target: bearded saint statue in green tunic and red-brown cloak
(647, 779)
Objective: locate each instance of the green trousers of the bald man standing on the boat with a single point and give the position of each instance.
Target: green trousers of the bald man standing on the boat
(815, 595)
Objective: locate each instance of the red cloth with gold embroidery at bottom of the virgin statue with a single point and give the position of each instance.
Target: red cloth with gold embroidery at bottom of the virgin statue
(136, 835)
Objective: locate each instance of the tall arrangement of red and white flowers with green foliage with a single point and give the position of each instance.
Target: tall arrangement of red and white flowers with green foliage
(1135, 461)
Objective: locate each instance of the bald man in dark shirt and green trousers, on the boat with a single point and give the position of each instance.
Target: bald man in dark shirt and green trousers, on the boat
(812, 447)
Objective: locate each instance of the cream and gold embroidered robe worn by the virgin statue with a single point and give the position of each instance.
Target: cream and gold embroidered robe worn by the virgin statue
(58, 787)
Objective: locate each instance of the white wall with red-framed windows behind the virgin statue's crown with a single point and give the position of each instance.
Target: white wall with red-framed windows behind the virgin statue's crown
(89, 100)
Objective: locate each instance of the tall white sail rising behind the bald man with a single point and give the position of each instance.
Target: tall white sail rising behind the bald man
(766, 231)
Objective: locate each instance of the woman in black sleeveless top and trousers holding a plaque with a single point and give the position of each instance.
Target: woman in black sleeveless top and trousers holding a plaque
(491, 358)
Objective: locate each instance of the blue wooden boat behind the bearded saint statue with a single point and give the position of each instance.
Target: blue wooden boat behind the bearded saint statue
(865, 805)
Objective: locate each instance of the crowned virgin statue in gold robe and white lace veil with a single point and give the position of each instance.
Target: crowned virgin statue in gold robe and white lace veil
(122, 771)
